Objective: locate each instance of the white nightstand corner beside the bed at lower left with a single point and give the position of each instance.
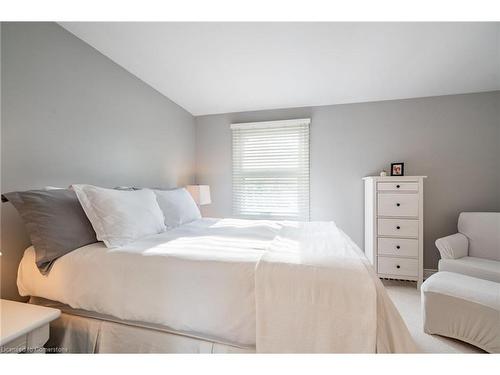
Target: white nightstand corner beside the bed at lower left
(24, 327)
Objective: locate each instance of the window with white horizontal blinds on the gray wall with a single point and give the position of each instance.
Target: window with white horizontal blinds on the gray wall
(271, 170)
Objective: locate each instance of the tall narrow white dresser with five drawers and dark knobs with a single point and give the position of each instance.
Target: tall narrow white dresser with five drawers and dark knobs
(394, 223)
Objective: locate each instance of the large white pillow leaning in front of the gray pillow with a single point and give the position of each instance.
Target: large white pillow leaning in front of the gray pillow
(120, 216)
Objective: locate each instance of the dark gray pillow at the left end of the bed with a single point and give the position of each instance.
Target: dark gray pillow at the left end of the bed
(55, 221)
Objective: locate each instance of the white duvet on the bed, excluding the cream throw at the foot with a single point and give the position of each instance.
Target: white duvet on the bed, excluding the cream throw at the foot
(200, 276)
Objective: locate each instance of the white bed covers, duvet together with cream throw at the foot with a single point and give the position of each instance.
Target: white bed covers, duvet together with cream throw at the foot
(281, 286)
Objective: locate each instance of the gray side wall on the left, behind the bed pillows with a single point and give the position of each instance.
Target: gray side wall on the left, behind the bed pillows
(71, 115)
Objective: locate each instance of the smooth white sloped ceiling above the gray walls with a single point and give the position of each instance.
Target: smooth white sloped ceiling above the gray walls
(230, 67)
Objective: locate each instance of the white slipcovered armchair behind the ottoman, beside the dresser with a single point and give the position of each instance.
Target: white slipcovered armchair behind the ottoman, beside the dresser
(475, 249)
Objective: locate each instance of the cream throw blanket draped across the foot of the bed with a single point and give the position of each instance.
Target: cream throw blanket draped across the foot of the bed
(316, 293)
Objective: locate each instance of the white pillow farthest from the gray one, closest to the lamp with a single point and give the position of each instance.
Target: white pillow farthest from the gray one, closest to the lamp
(178, 207)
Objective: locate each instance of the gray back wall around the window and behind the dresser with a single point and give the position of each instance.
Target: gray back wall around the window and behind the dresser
(454, 140)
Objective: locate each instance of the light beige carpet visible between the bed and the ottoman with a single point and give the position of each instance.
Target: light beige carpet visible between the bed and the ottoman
(406, 297)
